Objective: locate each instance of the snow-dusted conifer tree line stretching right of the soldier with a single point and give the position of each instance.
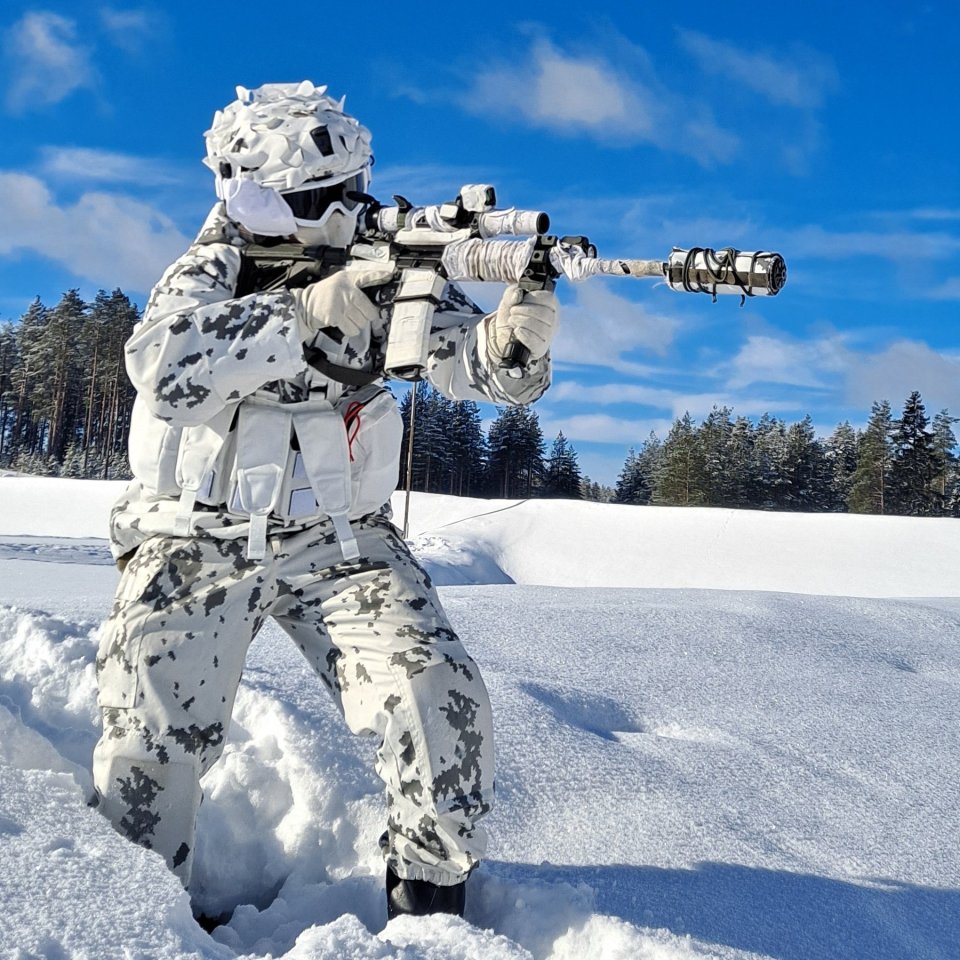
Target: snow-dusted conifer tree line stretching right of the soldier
(904, 465)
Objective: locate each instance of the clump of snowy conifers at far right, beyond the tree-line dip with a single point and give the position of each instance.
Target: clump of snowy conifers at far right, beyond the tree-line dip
(905, 466)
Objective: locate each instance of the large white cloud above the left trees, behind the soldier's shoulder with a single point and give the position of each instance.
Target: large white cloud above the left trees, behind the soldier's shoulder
(106, 239)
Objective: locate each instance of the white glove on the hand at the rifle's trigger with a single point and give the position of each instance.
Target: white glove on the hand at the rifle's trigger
(339, 301)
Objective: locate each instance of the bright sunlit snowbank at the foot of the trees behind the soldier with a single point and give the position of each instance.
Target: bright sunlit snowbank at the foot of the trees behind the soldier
(575, 543)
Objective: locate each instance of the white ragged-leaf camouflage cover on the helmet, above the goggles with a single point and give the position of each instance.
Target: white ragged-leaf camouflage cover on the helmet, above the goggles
(281, 135)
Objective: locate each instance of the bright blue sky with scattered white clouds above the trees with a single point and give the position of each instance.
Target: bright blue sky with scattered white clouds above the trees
(827, 134)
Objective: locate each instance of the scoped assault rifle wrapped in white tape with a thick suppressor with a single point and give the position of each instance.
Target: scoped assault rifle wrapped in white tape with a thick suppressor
(462, 240)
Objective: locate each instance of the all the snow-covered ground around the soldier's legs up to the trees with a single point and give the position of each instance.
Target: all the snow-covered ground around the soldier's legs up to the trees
(720, 734)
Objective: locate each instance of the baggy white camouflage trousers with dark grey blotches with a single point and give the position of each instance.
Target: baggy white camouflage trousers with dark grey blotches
(172, 654)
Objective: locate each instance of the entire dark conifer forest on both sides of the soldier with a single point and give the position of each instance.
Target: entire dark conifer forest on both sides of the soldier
(65, 405)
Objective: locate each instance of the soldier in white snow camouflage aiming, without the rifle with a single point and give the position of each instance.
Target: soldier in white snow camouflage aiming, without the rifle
(262, 488)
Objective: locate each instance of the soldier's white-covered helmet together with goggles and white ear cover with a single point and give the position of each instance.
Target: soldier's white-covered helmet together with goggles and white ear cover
(286, 157)
